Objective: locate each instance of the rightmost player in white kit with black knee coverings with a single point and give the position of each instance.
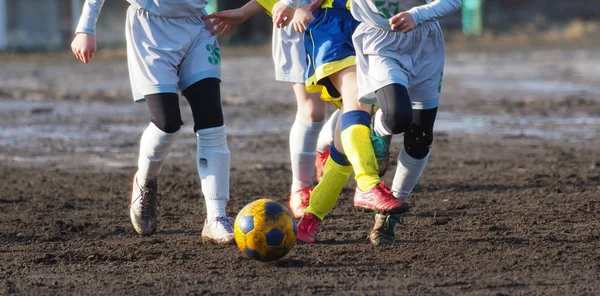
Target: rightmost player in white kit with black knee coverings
(400, 61)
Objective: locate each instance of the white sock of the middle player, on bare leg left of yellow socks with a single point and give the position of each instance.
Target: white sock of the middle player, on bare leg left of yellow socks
(303, 144)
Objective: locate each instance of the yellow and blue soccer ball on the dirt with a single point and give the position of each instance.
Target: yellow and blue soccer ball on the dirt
(265, 230)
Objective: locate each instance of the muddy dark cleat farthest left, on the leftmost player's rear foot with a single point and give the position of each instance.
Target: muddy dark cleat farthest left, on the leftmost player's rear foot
(142, 209)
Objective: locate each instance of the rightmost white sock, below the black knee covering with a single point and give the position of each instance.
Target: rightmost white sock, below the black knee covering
(407, 175)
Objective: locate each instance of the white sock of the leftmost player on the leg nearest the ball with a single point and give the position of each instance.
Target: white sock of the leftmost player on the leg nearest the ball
(213, 161)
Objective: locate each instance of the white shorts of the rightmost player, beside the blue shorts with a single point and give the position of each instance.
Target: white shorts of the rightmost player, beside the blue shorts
(415, 60)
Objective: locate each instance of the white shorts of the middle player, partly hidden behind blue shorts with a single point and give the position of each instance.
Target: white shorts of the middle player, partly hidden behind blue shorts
(289, 55)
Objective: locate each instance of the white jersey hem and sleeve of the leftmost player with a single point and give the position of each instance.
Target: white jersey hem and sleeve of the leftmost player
(163, 8)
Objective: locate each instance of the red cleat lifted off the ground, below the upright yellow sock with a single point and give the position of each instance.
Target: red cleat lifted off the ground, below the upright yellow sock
(378, 199)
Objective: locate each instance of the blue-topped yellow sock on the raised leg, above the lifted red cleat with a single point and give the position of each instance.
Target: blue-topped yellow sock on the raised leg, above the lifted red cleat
(356, 138)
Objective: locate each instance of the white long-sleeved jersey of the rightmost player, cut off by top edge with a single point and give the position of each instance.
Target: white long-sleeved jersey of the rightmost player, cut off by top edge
(378, 12)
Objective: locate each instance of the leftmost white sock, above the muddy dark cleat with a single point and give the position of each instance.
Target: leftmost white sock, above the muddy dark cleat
(155, 146)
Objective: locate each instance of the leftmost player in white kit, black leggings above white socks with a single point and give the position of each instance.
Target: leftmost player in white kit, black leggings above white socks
(168, 49)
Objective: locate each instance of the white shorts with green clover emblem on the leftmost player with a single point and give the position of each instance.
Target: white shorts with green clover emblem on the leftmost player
(166, 54)
